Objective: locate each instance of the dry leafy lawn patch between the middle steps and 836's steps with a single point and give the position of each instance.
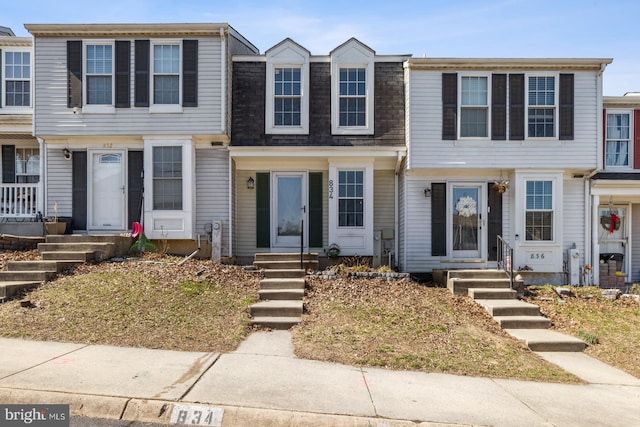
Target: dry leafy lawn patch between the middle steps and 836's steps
(404, 325)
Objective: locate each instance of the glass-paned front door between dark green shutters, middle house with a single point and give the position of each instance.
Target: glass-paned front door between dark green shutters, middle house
(289, 210)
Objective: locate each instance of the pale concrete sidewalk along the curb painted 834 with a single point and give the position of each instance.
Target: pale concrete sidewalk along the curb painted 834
(263, 383)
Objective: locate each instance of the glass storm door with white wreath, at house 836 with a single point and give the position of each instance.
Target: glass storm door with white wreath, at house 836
(466, 221)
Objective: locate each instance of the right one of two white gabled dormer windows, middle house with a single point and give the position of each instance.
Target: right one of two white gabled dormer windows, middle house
(352, 83)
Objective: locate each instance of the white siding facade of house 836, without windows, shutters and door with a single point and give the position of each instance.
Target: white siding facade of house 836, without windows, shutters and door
(482, 161)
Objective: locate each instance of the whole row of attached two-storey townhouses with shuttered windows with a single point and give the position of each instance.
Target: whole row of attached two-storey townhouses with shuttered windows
(420, 163)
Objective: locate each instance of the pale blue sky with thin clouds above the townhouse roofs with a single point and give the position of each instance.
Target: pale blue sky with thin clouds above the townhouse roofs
(453, 28)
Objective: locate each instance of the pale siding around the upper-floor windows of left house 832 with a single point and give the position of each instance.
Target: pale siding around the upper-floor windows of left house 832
(52, 117)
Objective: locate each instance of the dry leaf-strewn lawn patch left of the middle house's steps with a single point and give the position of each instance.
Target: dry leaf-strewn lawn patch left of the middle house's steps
(150, 302)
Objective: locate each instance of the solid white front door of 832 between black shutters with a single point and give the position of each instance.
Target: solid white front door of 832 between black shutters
(107, 195)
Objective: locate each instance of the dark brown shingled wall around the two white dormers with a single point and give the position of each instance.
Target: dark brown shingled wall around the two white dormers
(248, 119)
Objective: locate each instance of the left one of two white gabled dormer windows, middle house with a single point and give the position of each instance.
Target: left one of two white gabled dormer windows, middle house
(287, 89)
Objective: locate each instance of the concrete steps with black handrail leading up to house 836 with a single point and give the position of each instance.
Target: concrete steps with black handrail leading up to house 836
(492, 290)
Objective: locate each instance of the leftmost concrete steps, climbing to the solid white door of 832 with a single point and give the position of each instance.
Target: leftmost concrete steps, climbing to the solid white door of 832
(59, 253)
